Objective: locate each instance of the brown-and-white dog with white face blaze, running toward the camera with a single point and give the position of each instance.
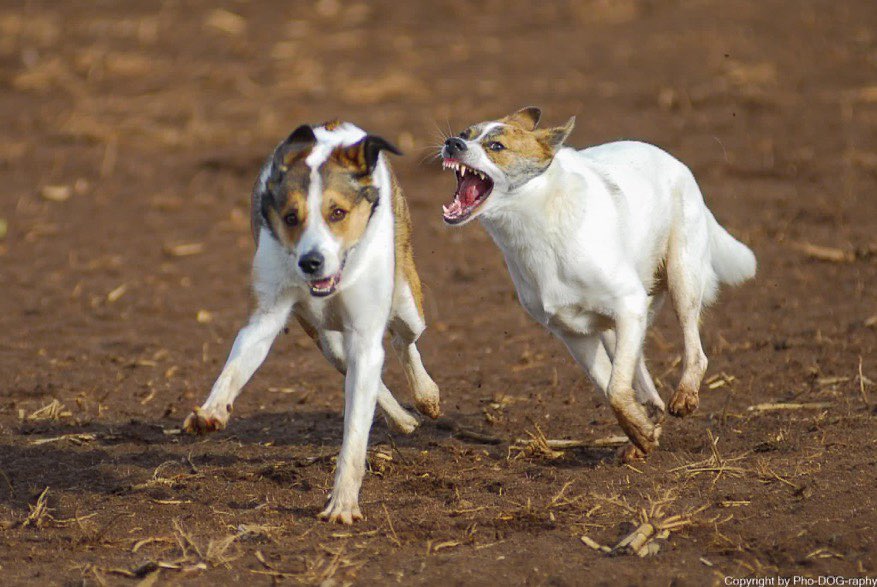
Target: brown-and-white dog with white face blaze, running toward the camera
(333, 247)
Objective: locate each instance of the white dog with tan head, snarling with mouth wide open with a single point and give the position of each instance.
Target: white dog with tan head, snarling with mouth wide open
(594, 240)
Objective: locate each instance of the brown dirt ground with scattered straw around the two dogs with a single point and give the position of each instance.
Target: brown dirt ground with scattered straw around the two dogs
(132, 133)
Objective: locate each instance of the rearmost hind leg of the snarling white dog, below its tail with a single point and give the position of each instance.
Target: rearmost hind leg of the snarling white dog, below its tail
(688, 285)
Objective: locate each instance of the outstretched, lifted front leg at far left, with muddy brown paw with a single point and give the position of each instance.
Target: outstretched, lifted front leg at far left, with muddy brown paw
(249, 350)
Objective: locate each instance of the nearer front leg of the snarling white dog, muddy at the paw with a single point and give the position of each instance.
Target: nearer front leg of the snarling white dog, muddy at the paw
(630, 332)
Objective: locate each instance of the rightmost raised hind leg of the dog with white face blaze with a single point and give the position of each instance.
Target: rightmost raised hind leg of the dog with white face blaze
(406, 326)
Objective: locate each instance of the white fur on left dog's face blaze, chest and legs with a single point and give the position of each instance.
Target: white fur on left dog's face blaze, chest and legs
(351, 323)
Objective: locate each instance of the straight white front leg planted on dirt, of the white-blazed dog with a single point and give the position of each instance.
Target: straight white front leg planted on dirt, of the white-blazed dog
(365, 359)
